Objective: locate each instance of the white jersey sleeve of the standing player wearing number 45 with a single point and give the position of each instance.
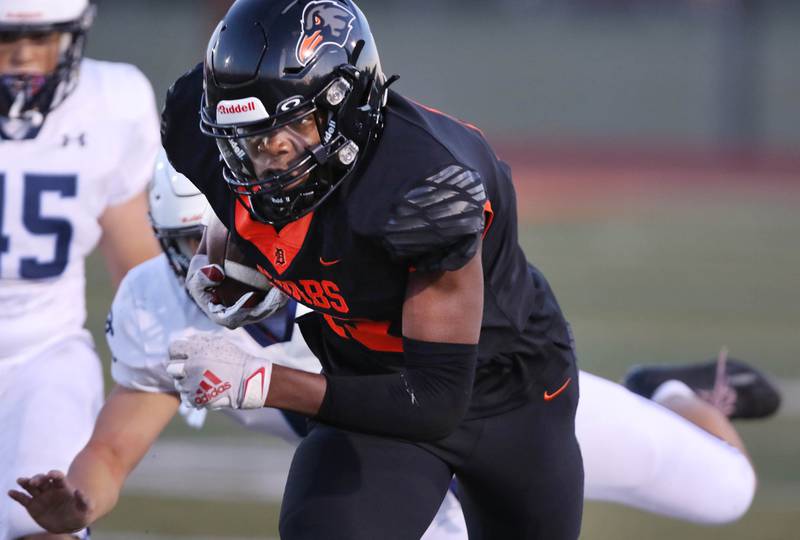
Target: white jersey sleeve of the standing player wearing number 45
(139, 129)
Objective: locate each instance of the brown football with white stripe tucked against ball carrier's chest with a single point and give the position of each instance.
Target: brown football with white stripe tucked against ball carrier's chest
(241, 274)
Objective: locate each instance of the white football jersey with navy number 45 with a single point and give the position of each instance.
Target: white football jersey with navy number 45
(95, 150)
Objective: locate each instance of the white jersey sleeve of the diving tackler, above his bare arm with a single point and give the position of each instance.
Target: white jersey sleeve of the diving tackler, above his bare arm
(132, 365)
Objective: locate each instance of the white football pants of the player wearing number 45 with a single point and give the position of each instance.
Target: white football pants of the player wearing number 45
(48, 405)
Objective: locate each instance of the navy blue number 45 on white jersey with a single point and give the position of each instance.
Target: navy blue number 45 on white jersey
(36, 185)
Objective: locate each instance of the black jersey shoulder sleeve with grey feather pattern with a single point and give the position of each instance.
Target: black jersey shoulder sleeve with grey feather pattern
(438, 224)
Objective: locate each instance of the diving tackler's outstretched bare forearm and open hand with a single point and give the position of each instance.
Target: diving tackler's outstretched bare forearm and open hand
(127, 426)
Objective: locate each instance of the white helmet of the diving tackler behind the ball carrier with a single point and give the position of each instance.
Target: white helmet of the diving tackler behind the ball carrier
(177, 211)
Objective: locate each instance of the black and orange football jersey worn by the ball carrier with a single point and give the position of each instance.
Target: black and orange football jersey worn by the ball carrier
(349, 260)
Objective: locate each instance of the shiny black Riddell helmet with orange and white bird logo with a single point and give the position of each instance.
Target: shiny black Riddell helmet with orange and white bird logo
(286, 65)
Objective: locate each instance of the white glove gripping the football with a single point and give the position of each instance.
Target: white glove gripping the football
(203, 276)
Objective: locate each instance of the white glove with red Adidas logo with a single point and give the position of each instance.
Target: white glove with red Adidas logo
(212, 372)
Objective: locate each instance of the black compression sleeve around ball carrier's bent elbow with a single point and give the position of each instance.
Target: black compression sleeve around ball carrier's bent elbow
(424, 402)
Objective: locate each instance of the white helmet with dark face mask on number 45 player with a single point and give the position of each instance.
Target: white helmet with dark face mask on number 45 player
(26, 99)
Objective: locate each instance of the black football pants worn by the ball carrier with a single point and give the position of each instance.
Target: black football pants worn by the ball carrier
(519, 473)
